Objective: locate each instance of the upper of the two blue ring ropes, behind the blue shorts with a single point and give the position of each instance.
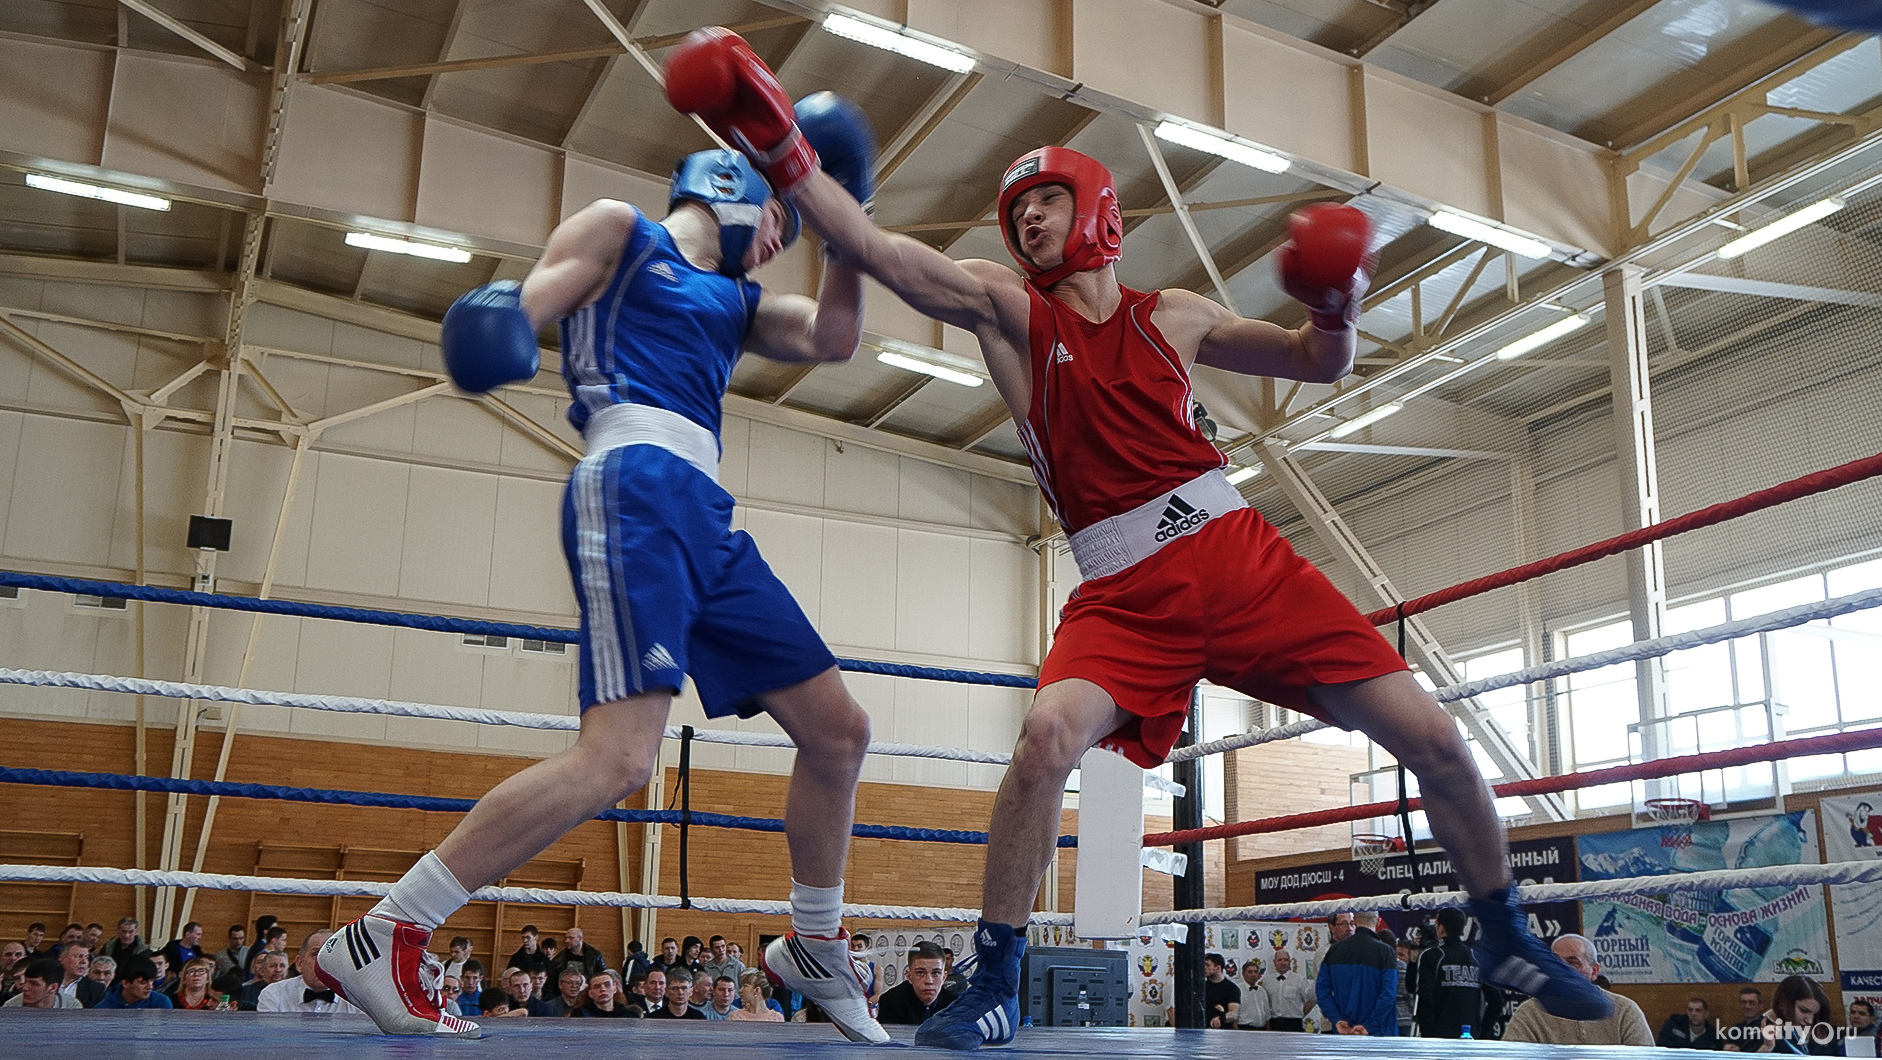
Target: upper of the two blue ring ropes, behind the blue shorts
(441, 624)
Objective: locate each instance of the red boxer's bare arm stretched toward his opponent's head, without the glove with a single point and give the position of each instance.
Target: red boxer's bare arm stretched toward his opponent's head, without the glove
(933, 283)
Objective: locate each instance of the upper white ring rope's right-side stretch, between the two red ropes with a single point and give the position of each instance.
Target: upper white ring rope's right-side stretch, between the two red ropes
(1580, 664)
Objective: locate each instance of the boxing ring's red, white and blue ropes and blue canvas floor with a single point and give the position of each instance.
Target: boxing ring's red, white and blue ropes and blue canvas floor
(142, 1035)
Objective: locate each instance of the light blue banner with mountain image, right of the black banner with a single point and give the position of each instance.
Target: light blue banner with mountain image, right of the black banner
(1747, 935)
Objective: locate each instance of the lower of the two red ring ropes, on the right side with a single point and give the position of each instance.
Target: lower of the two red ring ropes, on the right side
(1830, 745)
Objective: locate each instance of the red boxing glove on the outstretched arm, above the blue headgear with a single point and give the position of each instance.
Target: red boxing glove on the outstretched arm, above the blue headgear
(714, 74)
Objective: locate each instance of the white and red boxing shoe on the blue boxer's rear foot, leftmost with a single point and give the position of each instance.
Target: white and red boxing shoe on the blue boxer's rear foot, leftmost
(383, 969)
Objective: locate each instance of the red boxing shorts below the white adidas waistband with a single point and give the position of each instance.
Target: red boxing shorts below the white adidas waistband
(1232, 603)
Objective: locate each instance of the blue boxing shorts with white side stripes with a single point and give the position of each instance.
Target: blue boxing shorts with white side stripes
(669, 588)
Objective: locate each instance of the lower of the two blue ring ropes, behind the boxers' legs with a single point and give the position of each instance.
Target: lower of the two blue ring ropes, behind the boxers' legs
(229, 790)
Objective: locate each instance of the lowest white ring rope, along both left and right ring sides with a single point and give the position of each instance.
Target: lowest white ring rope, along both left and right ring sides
(1781, 876)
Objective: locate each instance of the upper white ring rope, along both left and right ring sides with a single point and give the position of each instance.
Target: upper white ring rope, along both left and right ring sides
(564, 722)
